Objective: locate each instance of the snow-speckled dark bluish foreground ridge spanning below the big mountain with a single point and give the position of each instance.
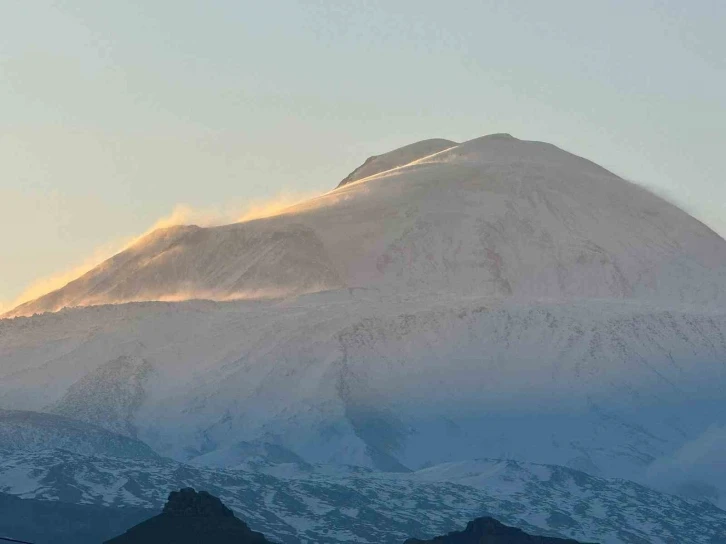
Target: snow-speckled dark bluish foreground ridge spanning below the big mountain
(294, 503)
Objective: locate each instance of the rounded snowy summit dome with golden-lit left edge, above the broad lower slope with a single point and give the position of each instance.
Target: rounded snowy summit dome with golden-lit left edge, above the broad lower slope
(496, 216)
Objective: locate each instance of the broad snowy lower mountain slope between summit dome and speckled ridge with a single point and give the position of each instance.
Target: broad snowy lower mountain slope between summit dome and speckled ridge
(394, 383)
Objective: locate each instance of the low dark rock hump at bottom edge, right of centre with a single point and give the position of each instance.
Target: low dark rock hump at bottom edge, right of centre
(490, 531)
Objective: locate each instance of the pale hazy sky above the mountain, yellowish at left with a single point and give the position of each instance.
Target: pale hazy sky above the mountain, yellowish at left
(112, 113)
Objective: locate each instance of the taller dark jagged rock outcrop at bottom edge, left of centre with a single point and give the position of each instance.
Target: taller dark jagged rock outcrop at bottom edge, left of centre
(190, 518)
